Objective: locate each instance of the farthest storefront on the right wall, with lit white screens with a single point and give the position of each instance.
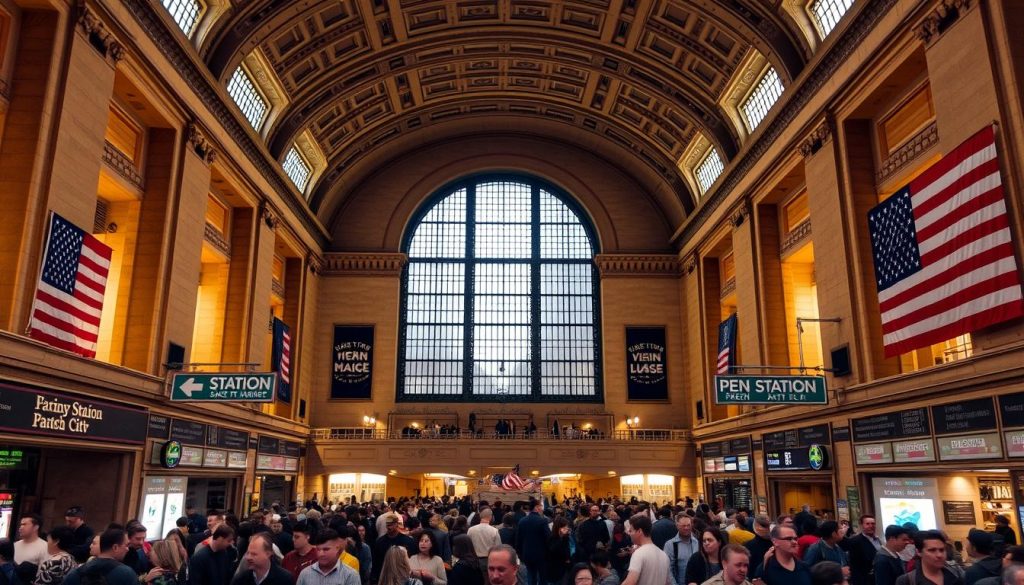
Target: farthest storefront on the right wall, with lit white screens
(729, 473)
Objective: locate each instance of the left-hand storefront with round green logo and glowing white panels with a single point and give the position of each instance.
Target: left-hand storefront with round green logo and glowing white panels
(192, 466)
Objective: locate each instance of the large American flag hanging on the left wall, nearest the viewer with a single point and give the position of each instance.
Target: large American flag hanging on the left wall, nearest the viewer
(70, 297)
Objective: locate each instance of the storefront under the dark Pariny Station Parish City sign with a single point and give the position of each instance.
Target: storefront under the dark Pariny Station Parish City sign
(59, 449)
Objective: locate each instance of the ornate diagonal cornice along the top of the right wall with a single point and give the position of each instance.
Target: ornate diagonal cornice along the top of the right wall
(836, 58)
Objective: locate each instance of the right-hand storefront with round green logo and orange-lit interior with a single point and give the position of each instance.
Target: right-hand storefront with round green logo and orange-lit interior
(799, 470)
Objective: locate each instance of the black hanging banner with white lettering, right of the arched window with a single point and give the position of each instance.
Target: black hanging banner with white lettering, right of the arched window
(647, 370)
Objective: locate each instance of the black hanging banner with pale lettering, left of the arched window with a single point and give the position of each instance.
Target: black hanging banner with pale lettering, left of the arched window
(353, 358)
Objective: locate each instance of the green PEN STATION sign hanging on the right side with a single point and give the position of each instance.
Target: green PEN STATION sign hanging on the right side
(771, 391)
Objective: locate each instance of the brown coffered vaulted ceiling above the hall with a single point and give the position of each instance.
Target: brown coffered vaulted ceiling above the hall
(643, 77)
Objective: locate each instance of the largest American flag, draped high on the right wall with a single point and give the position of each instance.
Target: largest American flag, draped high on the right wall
(944, 256)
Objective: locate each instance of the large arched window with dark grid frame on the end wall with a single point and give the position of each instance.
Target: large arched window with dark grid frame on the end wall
(500, 298)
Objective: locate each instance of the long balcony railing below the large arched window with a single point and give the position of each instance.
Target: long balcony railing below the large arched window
(361, 434)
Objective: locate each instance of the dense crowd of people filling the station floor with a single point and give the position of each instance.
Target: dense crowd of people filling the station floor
(458, 541)
